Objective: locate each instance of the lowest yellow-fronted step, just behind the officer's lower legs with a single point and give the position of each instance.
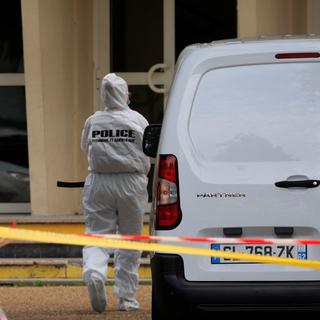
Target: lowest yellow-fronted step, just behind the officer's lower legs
(60, 269)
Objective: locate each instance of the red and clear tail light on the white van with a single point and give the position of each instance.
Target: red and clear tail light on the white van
(168, 213)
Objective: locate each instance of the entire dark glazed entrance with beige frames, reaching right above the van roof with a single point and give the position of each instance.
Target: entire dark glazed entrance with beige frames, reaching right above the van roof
(140, 40)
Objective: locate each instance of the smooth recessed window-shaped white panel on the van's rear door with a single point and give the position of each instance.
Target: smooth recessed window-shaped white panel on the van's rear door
(258, 113)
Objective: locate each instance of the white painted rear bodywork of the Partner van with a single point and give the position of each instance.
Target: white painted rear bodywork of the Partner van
(239, 120)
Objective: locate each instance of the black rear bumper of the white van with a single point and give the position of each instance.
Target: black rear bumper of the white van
(172, 291)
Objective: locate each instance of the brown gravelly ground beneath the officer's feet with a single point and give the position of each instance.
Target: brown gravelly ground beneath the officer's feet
(66, 303)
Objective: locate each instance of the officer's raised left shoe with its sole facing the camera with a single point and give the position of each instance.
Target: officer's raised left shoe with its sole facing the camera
(97, 294)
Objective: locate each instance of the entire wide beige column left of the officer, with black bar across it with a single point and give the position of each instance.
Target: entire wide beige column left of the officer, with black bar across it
(58, 72)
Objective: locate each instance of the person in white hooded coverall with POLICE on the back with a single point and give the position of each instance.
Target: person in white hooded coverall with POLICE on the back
(115, 191)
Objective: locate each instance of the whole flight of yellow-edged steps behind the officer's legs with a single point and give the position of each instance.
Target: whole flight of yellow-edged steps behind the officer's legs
(30, 262)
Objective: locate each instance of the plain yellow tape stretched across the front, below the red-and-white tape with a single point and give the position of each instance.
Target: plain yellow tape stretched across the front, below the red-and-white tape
(71, 239)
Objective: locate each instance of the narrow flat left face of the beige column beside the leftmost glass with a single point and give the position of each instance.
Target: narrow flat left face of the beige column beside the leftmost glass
(35, 105)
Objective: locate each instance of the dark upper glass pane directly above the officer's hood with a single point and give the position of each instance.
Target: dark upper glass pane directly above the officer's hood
(136, 35)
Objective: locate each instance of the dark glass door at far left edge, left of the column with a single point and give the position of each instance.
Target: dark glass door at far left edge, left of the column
(14, 167)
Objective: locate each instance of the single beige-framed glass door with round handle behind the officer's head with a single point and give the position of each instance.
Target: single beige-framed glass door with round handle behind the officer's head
(135, 39)
